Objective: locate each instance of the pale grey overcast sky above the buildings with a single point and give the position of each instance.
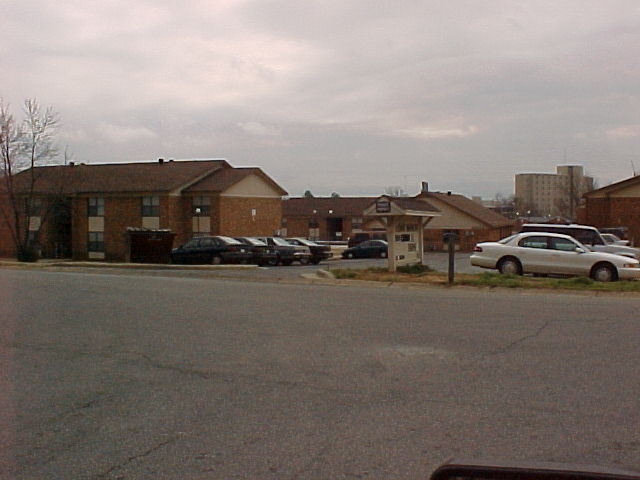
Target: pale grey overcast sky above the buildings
(345, 96)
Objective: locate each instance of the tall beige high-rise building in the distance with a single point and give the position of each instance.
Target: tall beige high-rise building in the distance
(549, 194)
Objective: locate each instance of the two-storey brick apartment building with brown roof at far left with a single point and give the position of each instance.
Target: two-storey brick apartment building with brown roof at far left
(92, 212)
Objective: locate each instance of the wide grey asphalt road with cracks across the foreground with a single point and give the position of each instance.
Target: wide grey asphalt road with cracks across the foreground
(151, 377)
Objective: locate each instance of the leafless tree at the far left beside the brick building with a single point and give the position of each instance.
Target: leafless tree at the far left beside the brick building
(25, 145)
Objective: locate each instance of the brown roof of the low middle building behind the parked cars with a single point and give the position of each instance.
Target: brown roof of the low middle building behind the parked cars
(340, 206)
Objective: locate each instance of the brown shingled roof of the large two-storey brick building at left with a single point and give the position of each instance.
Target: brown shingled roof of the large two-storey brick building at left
(156, 177)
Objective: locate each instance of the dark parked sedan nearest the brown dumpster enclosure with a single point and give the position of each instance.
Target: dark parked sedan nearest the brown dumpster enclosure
(214, 250)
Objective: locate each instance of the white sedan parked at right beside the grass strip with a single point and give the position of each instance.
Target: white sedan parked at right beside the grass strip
(552, 254)
